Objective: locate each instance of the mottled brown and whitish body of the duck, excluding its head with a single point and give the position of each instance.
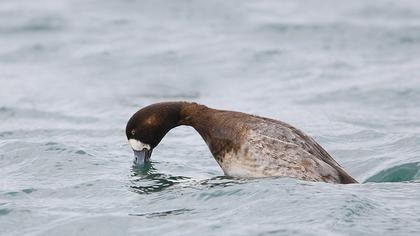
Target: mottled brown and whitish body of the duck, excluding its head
(246, 145)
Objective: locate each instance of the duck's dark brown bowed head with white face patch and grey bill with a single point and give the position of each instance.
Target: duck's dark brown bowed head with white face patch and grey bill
(149, 125)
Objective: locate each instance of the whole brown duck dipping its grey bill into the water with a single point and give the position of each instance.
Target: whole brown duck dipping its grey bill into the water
(244, 145)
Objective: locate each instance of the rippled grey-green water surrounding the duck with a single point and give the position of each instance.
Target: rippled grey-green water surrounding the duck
(73, 72)
